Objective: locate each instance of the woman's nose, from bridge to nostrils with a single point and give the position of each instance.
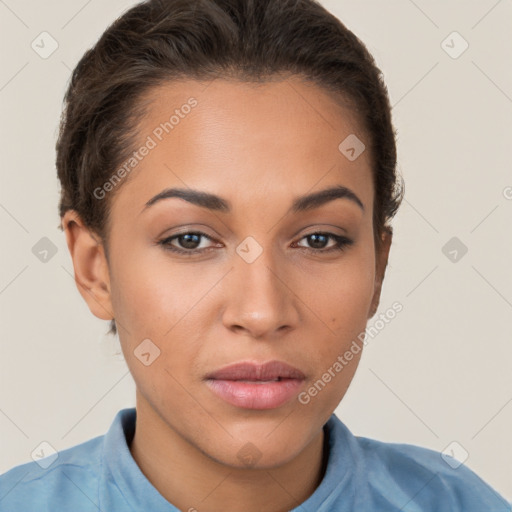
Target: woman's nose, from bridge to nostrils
(259, 298)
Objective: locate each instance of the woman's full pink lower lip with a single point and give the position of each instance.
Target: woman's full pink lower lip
(264, 395)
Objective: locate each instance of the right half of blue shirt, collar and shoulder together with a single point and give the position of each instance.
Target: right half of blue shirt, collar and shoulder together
(392, 477)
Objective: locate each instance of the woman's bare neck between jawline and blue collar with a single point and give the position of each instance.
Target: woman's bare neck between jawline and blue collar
(192, 481)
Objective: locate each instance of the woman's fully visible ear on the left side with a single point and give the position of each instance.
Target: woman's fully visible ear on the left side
(90, 265)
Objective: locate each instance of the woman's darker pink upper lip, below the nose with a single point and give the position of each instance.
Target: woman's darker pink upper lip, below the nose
(253, 371)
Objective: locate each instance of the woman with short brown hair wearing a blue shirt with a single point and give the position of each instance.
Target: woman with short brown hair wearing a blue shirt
(228, 172)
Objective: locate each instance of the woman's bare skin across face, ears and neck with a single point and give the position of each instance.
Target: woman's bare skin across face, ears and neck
(259, 147)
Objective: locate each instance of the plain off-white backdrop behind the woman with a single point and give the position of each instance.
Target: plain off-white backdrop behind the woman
(438, 373)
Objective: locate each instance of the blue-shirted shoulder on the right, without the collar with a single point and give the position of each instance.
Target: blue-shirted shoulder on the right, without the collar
(426, 478)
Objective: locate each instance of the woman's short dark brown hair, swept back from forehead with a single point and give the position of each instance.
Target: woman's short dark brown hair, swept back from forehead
(160, 41)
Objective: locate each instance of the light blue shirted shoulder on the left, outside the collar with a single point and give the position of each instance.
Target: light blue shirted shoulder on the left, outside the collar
(55, 480)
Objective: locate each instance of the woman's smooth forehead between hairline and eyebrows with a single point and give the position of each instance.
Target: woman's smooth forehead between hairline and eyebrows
(244, 140)
